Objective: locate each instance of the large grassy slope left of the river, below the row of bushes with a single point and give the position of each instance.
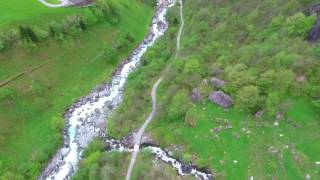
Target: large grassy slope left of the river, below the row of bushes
(32, 106)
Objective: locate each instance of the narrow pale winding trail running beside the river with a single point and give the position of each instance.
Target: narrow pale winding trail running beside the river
(138, 136)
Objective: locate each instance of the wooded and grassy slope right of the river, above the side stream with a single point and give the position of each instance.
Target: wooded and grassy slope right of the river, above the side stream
(259, 49)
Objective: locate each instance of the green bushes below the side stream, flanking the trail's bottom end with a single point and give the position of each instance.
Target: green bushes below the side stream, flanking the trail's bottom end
(101, 165)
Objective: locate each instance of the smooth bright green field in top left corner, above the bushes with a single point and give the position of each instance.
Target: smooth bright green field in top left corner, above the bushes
(15, 12)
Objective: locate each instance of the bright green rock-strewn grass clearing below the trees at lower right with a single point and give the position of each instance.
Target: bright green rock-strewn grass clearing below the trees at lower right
(282, 151)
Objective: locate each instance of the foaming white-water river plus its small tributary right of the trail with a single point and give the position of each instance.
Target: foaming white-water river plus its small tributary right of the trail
(86, 118)
